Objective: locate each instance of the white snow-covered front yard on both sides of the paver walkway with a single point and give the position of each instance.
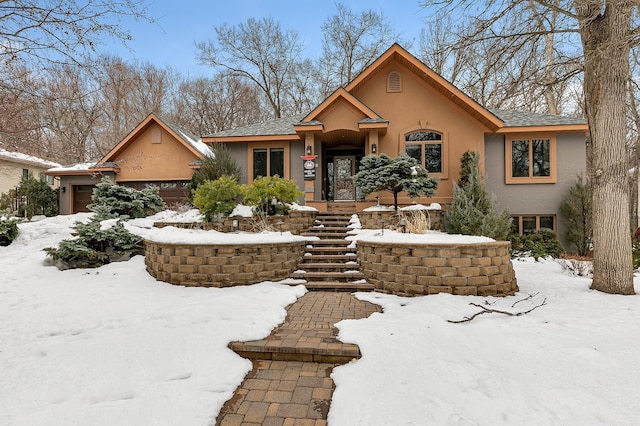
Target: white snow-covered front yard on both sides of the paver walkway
(113, 346)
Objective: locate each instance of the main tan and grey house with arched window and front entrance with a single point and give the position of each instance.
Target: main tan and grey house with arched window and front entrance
(398, 104)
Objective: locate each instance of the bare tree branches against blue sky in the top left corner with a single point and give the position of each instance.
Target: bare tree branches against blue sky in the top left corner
(62, 31)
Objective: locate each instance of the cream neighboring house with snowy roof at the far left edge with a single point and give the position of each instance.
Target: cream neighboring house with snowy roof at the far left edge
(14, 166)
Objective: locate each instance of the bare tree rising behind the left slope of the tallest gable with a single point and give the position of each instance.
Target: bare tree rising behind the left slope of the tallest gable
(351, 41)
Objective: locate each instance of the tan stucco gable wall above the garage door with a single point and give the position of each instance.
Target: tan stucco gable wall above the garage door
(144, 160)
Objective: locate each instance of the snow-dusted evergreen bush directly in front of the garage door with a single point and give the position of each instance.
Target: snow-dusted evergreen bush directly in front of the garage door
(111, 200)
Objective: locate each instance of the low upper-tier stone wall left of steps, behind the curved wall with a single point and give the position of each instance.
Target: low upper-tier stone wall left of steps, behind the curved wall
(296, 222)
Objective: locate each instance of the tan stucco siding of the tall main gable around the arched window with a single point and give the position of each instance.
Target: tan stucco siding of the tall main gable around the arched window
(419, 107)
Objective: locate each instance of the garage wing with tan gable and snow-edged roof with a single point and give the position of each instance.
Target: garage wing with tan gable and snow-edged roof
(156, 152)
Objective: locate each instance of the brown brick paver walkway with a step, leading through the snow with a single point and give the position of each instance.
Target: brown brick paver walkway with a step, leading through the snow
(290, 382)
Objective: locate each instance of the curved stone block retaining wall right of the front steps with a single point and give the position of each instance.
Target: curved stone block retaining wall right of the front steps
(482, 269)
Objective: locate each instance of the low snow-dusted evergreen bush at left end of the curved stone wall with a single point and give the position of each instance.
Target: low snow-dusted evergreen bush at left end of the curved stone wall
(96, 245)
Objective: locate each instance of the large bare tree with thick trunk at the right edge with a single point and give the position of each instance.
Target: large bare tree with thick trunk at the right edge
(606, 31)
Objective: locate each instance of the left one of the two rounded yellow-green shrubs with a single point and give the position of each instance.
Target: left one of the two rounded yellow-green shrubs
(218, 197)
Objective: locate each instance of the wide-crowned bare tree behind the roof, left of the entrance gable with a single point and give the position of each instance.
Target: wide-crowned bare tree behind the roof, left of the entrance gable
(259, 51)
